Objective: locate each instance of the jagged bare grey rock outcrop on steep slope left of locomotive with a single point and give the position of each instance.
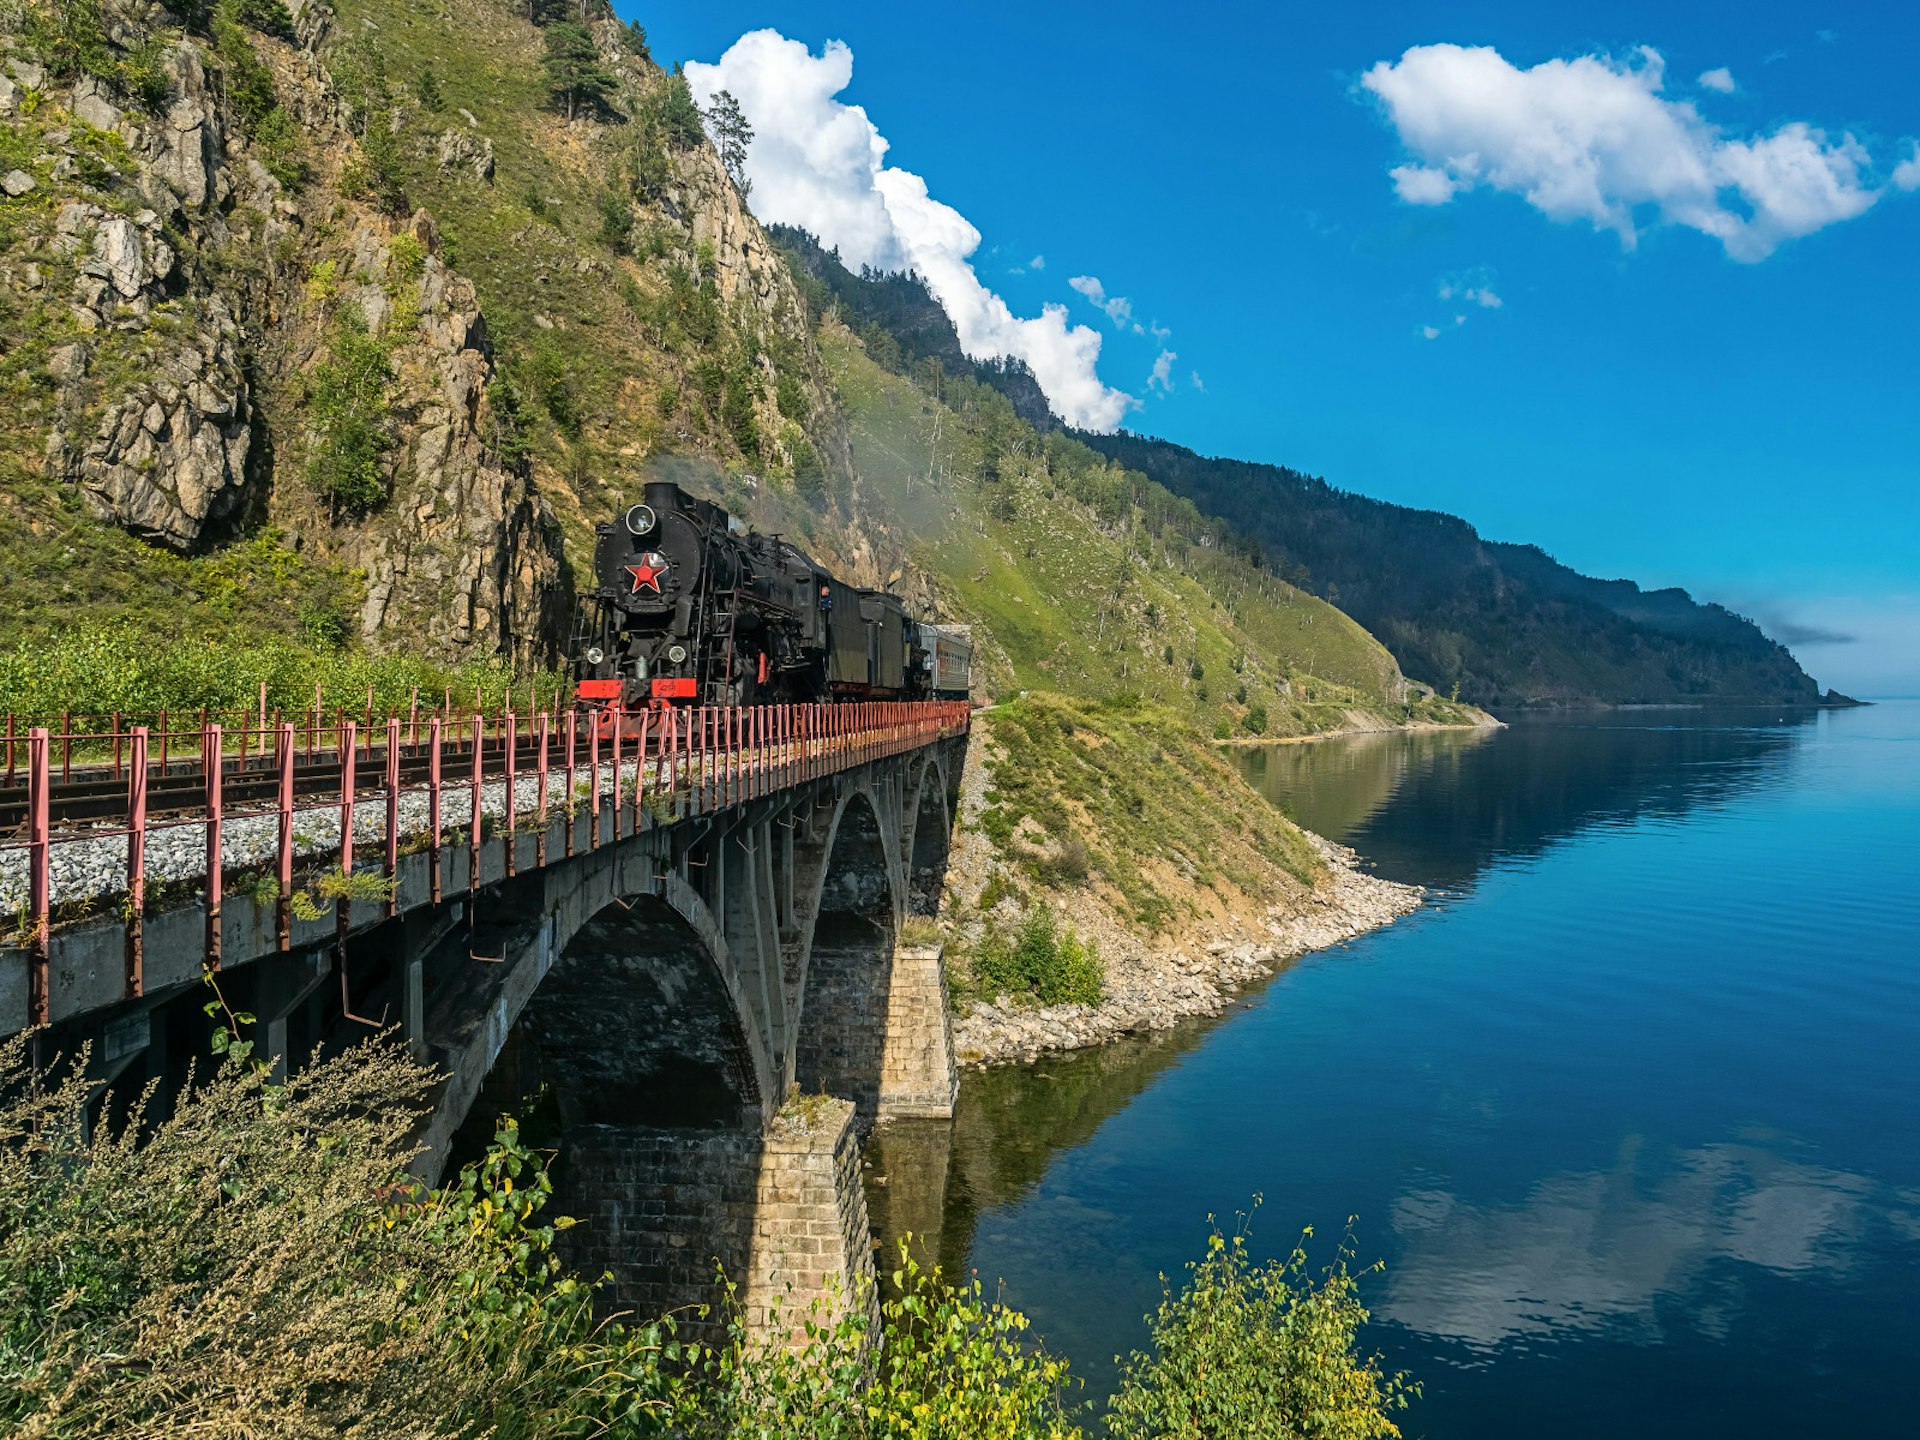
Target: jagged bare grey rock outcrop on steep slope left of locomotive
(180, 400)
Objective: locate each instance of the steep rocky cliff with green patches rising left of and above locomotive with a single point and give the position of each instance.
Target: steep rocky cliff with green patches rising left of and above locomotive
(252, 287)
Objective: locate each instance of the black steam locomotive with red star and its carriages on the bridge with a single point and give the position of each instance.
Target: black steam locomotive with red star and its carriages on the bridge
(694, 610)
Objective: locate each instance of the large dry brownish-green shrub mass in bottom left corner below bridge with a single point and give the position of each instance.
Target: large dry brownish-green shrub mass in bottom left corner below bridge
(256, 1260)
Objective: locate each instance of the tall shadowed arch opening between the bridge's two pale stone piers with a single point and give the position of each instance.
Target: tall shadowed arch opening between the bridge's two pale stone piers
(840, 1038)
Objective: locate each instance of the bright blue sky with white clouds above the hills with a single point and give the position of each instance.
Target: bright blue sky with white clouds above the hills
(1635, 283)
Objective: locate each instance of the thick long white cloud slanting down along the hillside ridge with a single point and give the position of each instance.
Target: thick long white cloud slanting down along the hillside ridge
(819, 164)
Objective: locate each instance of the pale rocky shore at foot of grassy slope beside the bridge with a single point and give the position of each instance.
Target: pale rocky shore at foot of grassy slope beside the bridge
(1153, 990)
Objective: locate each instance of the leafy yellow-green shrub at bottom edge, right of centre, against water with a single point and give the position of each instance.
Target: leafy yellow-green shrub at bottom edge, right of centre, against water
(1262, 1351)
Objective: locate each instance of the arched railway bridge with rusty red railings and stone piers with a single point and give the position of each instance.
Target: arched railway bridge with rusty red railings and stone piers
(677, 951)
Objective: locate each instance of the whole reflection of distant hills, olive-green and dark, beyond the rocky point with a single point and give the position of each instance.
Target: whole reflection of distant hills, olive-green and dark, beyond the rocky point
(1452, 809)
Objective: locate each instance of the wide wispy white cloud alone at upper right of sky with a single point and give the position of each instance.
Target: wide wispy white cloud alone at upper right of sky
(1595, 139)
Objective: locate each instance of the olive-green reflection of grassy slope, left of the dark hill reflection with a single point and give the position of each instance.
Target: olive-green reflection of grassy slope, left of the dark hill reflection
(1335, 786)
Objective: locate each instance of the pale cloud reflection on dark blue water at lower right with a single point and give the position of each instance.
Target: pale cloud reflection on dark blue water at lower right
(1596, 1251)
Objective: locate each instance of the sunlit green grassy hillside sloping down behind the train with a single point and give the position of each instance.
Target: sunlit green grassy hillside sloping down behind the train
(1082, 577)
